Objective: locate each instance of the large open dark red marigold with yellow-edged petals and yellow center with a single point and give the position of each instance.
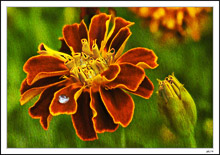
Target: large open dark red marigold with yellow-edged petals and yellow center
(91, 82)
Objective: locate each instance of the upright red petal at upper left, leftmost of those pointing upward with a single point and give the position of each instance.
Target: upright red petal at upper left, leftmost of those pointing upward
(73, 34)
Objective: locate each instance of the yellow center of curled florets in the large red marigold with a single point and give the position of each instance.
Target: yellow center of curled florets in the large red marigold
(86, 65)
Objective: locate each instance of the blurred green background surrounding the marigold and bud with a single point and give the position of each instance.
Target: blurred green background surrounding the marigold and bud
(192, 63)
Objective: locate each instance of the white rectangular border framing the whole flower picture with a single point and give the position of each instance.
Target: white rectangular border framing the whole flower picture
(214, 4)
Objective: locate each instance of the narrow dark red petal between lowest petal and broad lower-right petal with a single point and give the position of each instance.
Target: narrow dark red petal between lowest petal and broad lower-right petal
(103, 122)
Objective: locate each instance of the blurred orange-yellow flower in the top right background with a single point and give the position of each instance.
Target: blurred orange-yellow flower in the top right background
(175, 20)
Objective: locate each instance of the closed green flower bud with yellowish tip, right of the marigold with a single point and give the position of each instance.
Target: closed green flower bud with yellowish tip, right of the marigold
(176, 106)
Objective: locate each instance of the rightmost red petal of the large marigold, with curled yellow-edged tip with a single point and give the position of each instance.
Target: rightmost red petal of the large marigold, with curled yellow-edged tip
(139, 56)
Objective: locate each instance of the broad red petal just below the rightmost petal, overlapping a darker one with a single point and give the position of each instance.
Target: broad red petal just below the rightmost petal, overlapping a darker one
(130, 77)
